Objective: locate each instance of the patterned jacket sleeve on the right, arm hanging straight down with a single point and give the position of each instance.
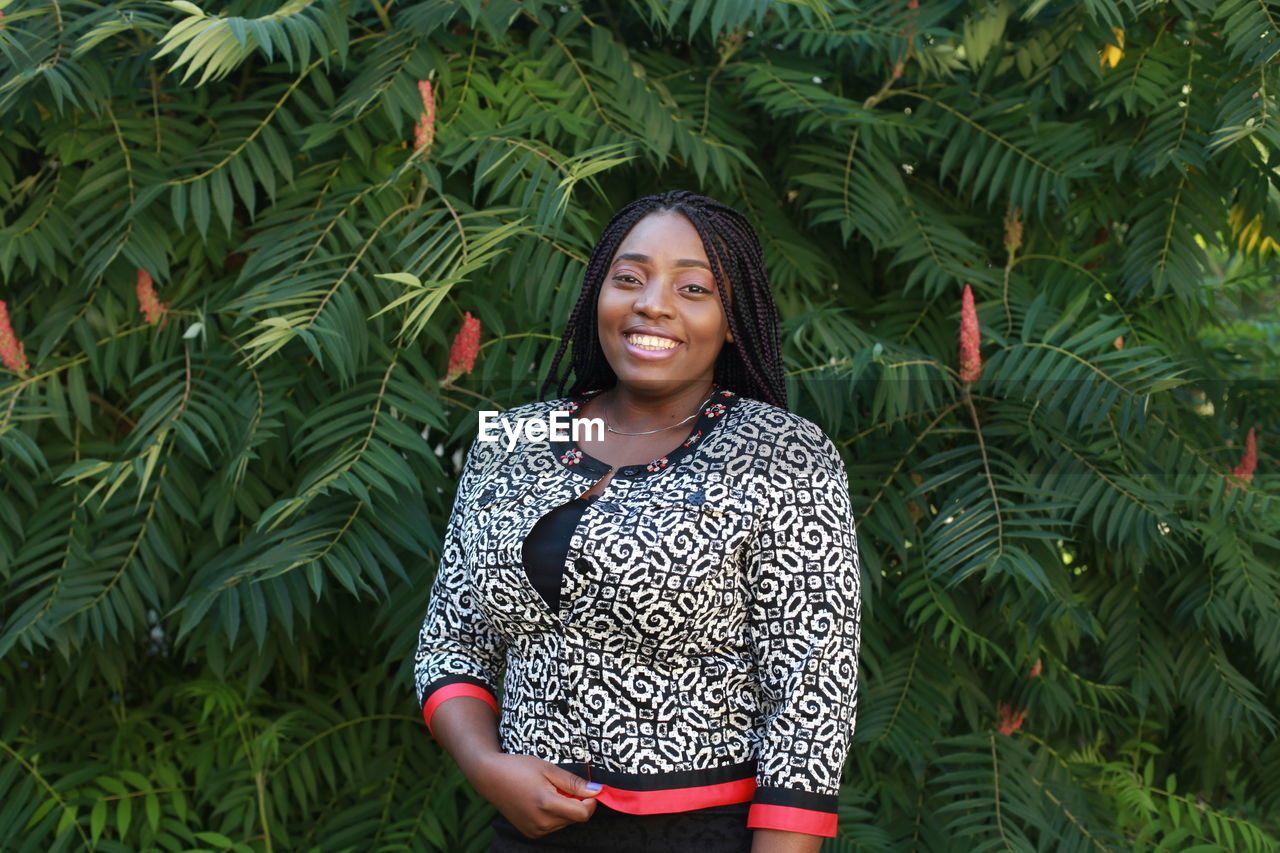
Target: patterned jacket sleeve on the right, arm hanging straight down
(806, 630)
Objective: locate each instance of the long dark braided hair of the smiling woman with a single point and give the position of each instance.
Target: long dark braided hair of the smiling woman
(752, 364)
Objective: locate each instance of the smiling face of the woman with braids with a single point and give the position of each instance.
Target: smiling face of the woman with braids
(660, 318)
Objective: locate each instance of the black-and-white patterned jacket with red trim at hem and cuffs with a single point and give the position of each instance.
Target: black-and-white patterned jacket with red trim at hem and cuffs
(705, 650)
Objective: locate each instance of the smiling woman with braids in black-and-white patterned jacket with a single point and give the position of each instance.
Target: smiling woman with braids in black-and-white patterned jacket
(673, 608)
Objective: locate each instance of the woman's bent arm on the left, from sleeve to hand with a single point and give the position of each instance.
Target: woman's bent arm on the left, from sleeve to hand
(459, 665)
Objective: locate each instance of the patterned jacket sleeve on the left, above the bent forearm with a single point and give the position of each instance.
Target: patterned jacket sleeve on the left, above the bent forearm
(459, 654)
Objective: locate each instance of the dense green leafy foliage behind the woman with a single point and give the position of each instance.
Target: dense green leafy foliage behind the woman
(218, 535)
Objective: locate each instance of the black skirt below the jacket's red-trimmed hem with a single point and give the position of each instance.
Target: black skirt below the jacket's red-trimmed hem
(719, 829)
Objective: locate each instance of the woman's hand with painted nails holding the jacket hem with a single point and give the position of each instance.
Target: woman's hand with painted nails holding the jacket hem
(534, 795)
